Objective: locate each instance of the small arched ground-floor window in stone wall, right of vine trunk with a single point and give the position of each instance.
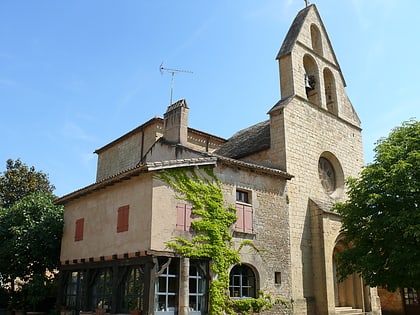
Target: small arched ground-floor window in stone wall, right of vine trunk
(242, 282)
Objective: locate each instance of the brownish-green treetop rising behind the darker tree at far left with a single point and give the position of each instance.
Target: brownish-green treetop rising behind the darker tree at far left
(19, 181)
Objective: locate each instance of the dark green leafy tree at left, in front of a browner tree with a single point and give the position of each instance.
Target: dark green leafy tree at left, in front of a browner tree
(30, 238)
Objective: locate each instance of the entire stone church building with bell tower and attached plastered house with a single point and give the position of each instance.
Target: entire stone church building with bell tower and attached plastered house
(282, 175)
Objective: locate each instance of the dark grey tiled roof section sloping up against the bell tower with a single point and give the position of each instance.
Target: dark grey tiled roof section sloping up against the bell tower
(247, 141)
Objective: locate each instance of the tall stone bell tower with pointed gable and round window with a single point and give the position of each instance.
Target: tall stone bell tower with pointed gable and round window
(316, 136)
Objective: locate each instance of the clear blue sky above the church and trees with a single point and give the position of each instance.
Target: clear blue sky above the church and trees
(75, 75)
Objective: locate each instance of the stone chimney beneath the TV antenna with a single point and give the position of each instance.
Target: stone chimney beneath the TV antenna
(175, 126)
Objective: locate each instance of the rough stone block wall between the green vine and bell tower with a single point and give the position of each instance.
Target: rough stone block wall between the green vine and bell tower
(270, 227)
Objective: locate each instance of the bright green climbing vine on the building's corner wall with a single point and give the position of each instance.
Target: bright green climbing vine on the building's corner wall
(212, 237)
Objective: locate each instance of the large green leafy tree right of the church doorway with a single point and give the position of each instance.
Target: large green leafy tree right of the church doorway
(381, 218)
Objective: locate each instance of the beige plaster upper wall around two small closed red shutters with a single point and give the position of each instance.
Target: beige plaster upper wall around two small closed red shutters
(99, 210)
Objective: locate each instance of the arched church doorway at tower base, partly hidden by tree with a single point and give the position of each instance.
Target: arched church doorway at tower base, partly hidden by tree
(350, 292)
